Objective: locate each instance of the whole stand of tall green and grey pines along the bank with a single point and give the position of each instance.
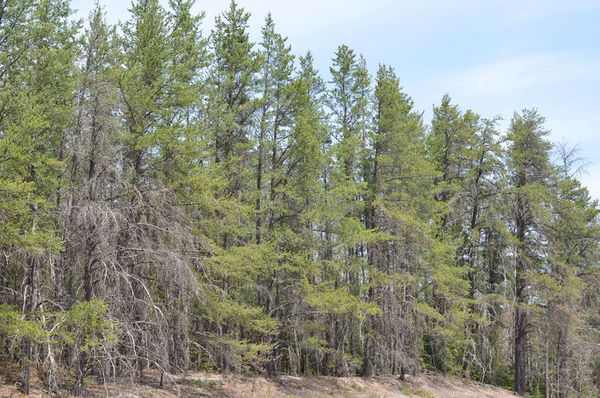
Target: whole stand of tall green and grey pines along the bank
(173, 198)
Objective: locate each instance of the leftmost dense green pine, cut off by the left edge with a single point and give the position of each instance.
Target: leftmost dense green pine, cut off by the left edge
(37, 93)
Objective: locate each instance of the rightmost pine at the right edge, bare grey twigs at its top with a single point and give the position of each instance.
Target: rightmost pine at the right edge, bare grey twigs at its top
(571, 230)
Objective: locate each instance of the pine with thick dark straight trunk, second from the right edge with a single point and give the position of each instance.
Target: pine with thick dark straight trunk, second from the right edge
(530, 171)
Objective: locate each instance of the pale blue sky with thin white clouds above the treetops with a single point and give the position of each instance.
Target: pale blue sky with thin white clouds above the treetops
(492, 56)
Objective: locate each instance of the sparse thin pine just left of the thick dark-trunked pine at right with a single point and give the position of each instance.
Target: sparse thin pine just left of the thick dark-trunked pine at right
(482, 189)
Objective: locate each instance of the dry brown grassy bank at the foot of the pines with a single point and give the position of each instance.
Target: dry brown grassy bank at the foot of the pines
(234, 386)
